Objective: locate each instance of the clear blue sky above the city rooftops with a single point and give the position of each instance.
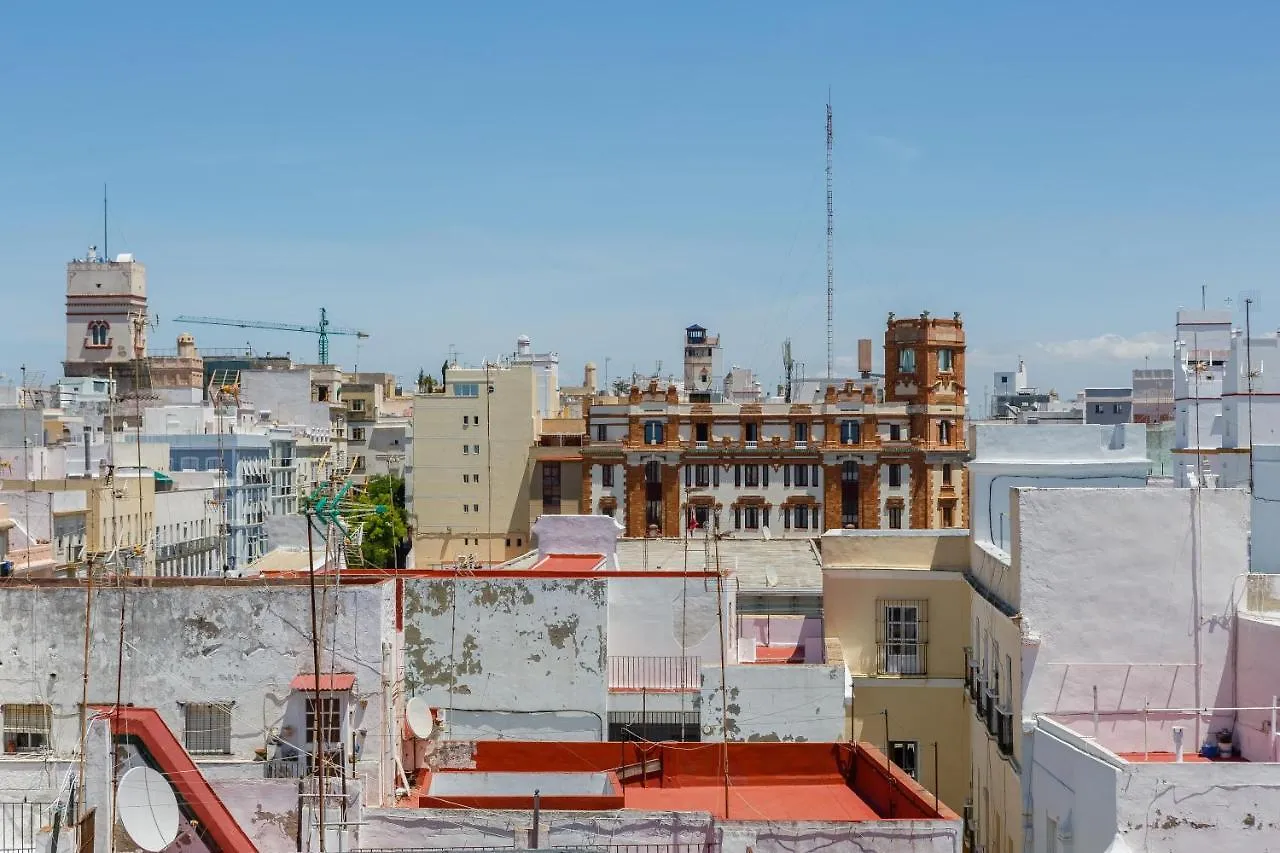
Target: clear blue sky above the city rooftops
(601, 176)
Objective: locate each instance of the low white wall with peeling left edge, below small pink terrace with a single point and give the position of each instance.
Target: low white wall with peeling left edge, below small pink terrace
(776, 703)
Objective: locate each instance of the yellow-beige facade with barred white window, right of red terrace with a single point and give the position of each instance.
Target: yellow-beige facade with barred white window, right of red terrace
(898, 603)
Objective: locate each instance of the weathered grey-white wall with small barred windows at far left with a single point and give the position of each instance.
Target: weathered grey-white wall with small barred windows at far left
(234, 644)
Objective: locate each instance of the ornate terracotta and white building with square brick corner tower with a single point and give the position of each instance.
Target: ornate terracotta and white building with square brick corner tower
(874, 453)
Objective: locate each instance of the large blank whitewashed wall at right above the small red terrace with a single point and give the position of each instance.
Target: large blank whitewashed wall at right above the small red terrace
(1117, 587)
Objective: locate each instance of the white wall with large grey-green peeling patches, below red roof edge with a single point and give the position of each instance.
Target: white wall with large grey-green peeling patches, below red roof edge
(534, 646)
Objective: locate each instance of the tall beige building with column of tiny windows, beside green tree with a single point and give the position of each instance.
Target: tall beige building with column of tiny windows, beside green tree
(472, 472)
